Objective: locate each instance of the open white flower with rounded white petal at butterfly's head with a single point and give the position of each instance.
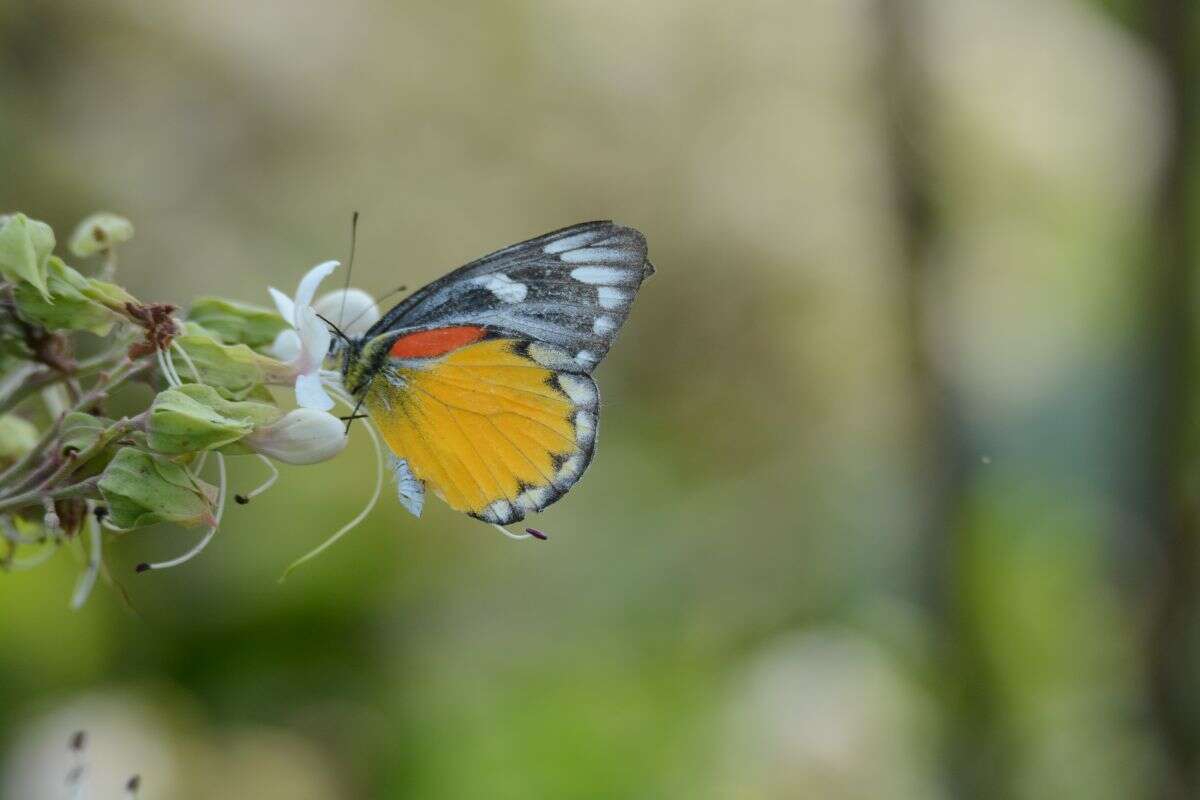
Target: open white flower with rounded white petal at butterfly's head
(308, 342)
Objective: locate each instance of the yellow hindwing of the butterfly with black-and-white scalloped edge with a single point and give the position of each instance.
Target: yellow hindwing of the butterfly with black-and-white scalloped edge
(496, 429)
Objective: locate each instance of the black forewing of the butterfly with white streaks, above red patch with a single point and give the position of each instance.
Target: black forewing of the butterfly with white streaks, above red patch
(572, 288)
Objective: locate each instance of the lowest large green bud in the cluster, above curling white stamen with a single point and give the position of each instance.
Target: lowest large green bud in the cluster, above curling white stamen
(143, 490)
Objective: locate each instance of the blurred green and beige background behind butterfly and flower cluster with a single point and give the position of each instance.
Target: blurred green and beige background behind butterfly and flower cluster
(896, 495)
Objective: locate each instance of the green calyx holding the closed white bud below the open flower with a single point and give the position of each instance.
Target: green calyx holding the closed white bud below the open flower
(195, 418)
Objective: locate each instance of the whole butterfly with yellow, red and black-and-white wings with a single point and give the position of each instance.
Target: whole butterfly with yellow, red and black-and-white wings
(481, 383)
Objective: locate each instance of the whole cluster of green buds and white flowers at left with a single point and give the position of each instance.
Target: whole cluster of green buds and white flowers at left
(70, 467)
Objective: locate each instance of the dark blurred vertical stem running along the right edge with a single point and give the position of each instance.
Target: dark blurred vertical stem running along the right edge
(1173, 502)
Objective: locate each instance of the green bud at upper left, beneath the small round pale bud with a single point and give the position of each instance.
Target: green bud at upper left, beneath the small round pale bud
(74, 303)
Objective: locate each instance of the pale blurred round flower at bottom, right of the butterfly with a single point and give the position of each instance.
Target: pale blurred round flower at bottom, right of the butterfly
(827, 714)
